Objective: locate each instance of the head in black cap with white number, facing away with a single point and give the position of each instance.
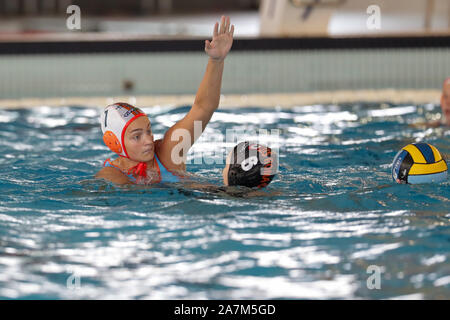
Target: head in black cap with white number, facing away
(250, 165)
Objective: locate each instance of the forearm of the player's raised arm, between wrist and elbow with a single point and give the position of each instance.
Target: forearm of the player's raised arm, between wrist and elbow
(208, 94)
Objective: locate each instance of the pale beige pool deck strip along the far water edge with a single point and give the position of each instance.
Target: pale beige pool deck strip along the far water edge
(284, 100)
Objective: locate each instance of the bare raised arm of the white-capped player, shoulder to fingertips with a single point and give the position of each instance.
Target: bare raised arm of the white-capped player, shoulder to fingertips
(173, 148)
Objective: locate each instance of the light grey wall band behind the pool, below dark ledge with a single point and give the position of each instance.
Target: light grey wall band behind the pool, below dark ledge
(268, 71)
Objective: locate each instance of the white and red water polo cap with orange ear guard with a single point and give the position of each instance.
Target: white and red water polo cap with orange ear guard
(115, 120)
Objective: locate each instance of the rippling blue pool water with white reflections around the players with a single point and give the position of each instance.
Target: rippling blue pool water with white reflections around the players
(65, 235)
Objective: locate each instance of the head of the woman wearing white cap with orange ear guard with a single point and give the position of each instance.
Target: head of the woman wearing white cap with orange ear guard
(127, 132)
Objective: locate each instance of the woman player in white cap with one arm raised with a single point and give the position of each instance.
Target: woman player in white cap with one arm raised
(127, 130)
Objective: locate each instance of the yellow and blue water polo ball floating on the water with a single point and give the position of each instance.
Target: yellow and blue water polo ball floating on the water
(419, 163)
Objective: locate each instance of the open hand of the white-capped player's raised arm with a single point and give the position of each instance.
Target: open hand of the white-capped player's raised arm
(222, 40)
